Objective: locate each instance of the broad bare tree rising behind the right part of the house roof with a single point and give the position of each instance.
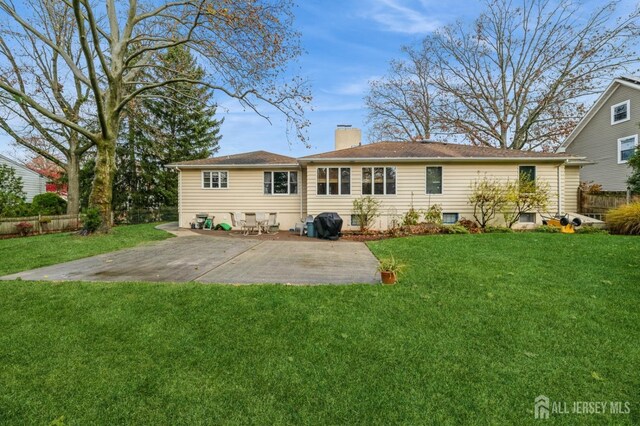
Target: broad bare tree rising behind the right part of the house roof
(518, 77)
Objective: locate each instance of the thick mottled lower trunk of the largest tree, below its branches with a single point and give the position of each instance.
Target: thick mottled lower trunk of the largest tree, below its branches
(102, 188)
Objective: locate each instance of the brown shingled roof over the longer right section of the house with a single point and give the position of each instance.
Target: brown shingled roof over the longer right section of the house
(429, 150)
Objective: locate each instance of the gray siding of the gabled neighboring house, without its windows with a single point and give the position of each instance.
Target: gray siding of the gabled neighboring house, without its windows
(598, 142)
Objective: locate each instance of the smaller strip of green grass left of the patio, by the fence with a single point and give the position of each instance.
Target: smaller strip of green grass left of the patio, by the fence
(21, 254)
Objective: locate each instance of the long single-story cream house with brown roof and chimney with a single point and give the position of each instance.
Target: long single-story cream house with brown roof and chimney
(399, 174)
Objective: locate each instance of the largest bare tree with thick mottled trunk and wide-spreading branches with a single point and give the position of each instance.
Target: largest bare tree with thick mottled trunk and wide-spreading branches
(244, 45)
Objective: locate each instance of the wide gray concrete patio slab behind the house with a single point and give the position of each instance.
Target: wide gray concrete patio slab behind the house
(222, 260)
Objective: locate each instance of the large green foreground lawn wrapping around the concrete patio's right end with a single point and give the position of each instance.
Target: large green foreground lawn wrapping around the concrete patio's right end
(478, 327)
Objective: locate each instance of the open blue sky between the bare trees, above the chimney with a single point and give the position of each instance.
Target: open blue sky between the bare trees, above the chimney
(347, 43)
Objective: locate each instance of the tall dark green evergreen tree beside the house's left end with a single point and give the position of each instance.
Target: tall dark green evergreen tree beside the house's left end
(175, 123)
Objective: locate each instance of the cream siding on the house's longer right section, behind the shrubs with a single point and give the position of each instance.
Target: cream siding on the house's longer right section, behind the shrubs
(411, 188)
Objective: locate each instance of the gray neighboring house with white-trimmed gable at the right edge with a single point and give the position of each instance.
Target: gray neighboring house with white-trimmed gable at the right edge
(608, 135)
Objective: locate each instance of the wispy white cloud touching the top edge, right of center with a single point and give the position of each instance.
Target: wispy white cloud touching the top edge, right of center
(398, 16)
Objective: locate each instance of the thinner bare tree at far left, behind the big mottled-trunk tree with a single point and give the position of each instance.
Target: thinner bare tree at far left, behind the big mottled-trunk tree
(40, 74)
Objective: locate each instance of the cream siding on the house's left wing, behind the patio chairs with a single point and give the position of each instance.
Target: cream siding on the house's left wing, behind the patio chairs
(245, 193)
